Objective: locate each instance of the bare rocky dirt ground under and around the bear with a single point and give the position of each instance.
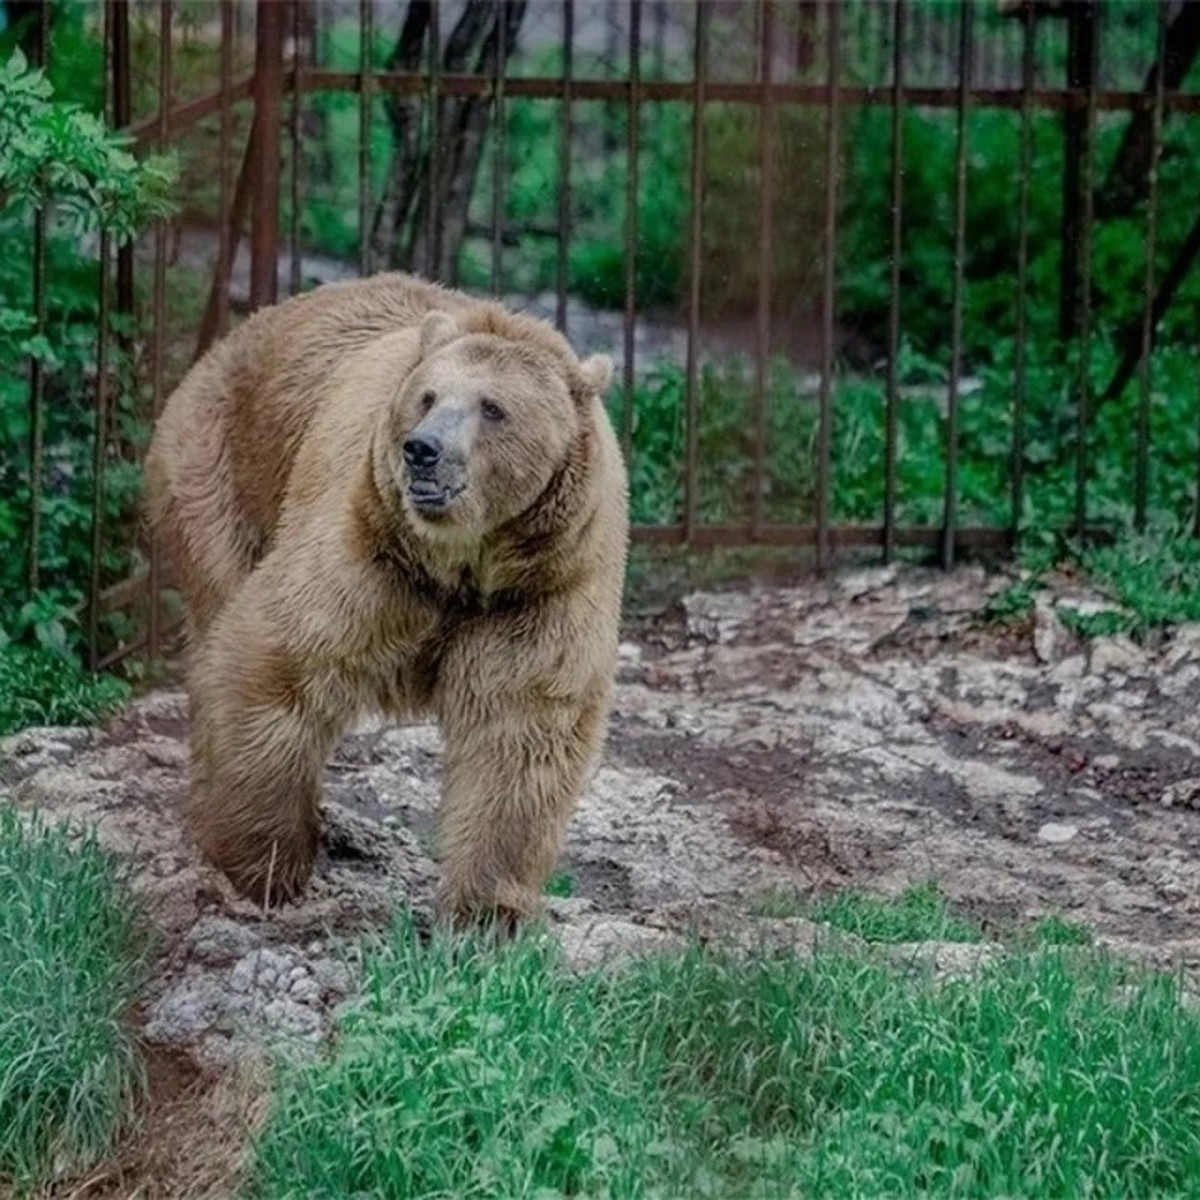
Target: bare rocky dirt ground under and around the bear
(865, 731)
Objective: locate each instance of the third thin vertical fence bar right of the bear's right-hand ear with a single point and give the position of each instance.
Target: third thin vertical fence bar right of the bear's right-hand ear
(766, 249)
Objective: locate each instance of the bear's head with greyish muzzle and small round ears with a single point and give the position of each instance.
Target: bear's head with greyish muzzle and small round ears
(491, 415)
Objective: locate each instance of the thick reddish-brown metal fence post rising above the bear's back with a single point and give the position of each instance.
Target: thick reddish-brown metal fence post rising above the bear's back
(265, 245)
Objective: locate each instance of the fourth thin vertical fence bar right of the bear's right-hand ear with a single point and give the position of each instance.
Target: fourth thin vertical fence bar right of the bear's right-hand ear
(829, 287)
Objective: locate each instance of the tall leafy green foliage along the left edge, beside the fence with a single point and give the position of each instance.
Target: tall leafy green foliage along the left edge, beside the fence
(58, 158)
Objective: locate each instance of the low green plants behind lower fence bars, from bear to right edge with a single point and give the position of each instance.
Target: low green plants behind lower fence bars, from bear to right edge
(727, 392)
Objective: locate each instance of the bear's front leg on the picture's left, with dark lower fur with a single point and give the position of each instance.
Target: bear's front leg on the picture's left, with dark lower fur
(261, 737)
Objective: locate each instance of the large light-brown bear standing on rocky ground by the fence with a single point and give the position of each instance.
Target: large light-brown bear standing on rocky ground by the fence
(387, 495)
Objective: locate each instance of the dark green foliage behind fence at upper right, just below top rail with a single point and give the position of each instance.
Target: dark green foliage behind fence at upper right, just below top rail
(993, 229)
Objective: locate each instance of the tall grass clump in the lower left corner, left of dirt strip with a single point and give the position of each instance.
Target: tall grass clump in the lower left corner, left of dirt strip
(71, 955)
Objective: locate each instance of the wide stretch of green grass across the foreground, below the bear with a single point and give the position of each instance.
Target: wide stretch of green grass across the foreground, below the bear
(470, 1071)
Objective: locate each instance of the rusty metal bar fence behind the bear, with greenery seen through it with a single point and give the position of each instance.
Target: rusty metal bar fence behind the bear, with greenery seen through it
(823, 343)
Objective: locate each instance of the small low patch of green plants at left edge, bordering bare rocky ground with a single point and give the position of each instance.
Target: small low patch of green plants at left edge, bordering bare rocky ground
(44, 688)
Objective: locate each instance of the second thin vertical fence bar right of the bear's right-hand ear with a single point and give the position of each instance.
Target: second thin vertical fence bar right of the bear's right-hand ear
(695, 253)
